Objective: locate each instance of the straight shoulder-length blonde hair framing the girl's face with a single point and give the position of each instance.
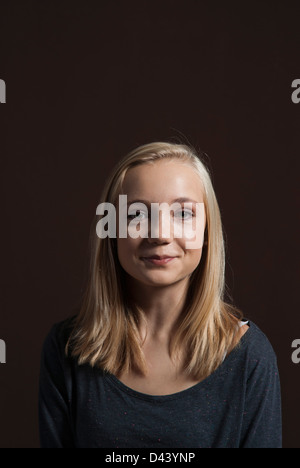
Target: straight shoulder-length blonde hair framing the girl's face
(106, 330)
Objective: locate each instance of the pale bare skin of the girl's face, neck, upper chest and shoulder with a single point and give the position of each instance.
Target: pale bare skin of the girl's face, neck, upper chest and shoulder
(160, 289)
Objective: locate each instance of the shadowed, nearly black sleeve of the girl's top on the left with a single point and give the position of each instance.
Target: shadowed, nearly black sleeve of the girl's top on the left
(55, 427)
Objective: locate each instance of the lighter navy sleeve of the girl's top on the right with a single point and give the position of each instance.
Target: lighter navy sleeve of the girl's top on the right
(262, 423)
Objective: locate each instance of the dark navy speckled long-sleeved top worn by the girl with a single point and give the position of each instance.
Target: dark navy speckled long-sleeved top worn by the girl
(237, 406)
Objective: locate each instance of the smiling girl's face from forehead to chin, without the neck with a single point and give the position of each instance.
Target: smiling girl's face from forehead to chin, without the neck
(161, 258)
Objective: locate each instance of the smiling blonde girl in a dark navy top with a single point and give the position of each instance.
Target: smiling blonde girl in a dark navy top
(155, 356)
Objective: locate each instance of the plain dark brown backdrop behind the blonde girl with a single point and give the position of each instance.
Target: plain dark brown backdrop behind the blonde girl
(88, 81)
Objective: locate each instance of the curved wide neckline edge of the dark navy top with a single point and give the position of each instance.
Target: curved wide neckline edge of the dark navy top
(183, 393)
